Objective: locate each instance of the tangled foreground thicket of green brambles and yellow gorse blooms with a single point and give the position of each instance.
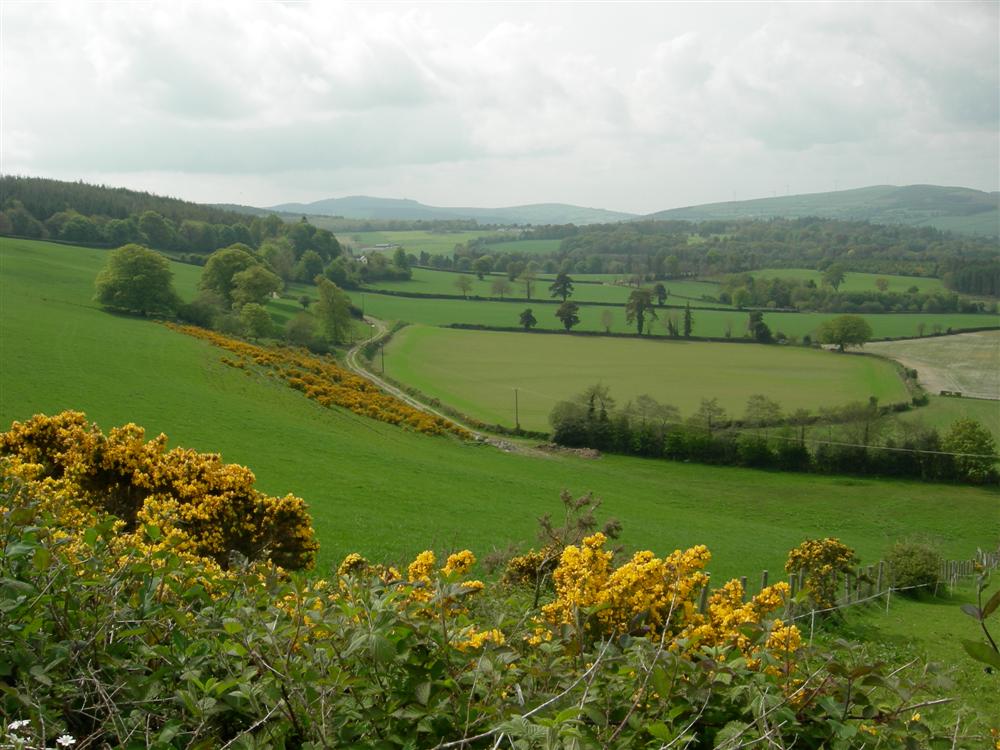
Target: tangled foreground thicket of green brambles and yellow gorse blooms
(104, 642)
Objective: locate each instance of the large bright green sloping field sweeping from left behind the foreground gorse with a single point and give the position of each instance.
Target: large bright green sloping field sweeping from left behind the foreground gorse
(388, 493)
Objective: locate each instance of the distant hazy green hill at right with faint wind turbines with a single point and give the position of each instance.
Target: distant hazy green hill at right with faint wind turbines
(953, 209)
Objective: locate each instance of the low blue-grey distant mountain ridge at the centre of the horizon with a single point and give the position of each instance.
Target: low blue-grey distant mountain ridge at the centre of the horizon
(366, 207)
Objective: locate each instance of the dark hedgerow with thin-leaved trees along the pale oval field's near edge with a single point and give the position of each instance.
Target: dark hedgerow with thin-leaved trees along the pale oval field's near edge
(861, 439)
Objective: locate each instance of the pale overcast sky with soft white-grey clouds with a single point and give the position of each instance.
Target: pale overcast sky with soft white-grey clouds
(634, 107)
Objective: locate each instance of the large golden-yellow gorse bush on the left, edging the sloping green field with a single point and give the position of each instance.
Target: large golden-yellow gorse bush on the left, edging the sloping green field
(200, 505)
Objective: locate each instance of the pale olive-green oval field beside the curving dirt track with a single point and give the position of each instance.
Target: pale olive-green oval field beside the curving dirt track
(477, 372)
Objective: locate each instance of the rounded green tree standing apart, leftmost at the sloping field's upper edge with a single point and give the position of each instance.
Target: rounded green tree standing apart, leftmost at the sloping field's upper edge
(137, 279)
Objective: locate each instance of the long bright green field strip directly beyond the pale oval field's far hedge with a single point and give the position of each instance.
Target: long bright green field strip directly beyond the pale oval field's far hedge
(712, 323)
